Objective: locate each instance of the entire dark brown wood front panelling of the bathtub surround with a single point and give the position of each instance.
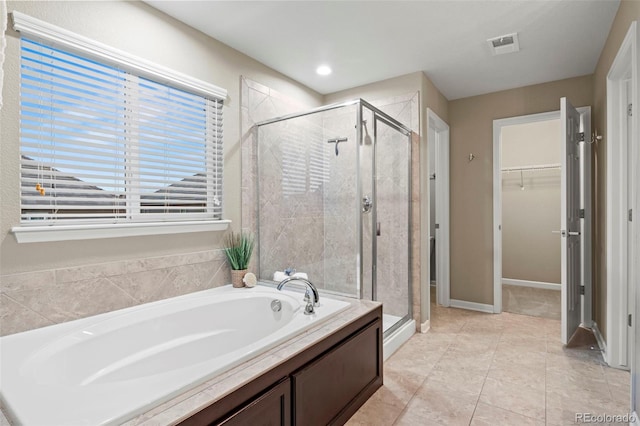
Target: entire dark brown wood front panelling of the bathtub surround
(324, 384)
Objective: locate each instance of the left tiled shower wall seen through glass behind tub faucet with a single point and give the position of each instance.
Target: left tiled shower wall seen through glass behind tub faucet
(290, 184)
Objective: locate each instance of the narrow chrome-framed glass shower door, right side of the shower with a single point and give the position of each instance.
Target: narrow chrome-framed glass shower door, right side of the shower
(387, 223)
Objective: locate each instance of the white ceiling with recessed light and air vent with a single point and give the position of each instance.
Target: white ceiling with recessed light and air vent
(368, 41)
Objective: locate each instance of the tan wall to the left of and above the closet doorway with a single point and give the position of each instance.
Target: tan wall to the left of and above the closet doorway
(471, 124)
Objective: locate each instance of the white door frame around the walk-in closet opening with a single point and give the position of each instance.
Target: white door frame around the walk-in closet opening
(498, 124)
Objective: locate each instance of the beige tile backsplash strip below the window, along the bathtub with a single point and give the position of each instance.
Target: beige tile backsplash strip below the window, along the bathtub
(37, 299)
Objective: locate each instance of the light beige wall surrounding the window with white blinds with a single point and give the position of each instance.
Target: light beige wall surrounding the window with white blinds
(140, 30)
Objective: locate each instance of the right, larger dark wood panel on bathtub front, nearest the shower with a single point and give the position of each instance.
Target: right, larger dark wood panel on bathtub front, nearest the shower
(325, 390)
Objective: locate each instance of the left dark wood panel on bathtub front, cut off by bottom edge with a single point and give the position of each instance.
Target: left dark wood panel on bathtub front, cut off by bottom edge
(273, 408)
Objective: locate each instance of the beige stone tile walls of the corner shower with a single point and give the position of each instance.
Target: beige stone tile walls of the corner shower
(316, 230)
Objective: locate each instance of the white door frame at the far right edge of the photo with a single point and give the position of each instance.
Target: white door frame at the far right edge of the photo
(619, 270)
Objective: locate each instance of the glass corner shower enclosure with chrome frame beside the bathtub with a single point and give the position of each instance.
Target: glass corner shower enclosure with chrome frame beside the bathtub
(334, 197)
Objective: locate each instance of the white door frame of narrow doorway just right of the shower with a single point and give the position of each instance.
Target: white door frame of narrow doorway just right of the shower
(440, 130)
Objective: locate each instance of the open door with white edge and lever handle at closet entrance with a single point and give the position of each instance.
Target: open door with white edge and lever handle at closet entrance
(570, 220)
